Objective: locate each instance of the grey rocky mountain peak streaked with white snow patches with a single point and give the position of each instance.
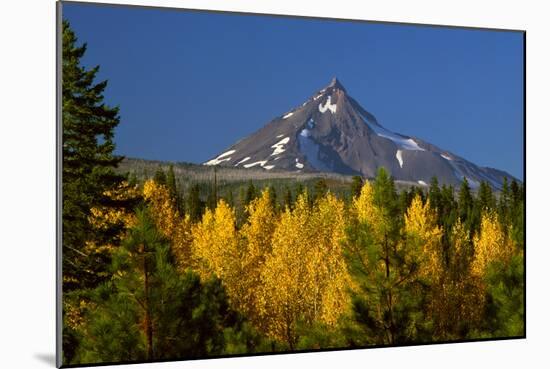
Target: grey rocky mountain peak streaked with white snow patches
(331, 132)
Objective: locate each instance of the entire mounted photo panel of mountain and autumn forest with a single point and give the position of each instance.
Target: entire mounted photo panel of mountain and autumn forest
(238, 184)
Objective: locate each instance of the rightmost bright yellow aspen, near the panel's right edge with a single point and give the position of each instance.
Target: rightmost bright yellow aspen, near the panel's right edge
(490, 244)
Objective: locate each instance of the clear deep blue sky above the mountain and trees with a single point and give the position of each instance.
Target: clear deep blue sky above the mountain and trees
(189, 84)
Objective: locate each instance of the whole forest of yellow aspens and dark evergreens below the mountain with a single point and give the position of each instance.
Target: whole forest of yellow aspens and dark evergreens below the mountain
(155, 271)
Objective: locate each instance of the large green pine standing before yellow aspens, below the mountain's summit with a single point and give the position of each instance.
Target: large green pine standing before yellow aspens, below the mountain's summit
(388, 304)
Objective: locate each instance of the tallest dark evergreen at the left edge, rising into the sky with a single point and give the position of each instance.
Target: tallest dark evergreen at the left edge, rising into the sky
(88, 163)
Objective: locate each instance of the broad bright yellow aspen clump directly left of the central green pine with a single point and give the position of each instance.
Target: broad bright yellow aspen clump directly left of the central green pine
(305, 275)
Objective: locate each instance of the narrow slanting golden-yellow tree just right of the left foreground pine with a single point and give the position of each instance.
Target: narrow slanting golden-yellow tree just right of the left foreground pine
(175, 227)
